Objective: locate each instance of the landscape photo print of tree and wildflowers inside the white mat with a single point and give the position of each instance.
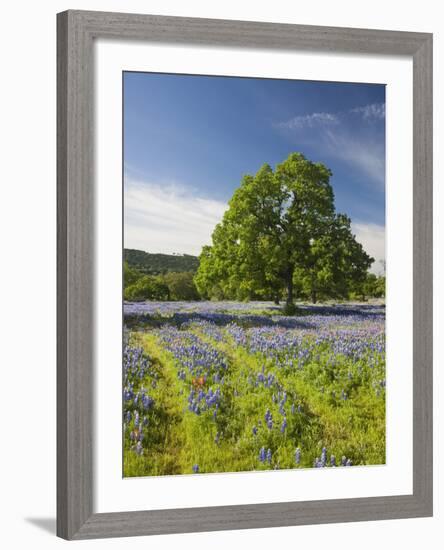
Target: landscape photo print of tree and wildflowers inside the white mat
(253, 274)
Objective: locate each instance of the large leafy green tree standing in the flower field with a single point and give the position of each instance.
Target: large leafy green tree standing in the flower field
(281, 234)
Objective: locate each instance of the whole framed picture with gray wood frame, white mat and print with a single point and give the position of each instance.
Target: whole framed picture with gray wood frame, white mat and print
(244, 275)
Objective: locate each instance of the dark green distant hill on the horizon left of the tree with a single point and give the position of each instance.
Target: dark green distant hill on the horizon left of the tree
(156, 264)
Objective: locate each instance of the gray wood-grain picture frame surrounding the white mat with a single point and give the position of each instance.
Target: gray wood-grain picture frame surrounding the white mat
(76, 32)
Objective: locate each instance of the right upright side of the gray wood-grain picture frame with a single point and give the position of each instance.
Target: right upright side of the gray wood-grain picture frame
(423, 273)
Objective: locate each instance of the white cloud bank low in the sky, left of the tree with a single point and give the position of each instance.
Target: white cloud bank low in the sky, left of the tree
(167, 219)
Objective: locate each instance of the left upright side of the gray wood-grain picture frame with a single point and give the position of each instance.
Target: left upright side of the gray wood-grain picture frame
(75, 276)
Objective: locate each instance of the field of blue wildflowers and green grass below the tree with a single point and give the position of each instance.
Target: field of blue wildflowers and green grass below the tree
(230, 386)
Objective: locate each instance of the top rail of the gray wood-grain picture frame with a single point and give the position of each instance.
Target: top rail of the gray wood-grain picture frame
(226, 33)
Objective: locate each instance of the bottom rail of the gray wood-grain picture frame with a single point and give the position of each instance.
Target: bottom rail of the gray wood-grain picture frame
(256, 516)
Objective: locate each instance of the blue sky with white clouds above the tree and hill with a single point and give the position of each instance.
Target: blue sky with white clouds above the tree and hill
(188, 140)
